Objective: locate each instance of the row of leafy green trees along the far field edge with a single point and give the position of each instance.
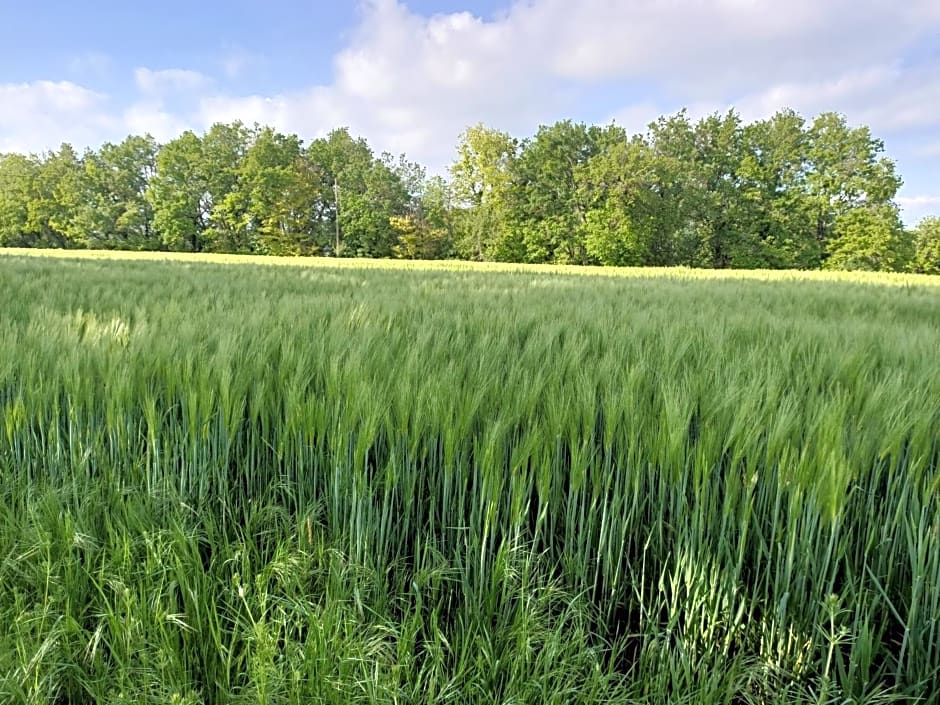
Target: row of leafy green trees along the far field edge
(717, 192)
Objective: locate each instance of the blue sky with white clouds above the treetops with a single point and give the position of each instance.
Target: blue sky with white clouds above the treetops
(411, 75)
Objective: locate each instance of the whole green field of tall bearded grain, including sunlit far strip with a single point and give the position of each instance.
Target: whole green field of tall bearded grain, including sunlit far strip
(232, 482)
